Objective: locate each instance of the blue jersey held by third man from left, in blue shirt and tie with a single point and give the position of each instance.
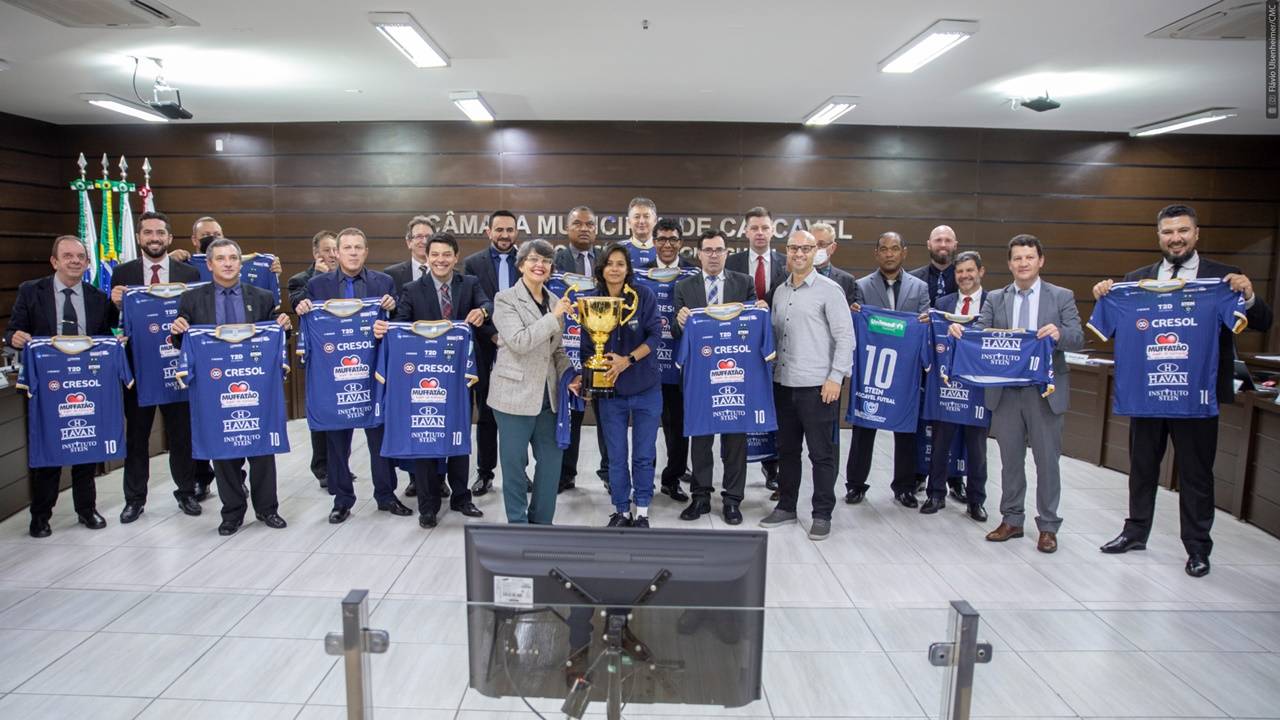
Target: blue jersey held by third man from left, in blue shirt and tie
(235, 376)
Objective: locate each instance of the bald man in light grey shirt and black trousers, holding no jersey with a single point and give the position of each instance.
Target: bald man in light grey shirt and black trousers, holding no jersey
(815, 339)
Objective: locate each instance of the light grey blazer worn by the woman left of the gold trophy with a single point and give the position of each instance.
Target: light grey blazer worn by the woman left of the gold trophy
(532, 358)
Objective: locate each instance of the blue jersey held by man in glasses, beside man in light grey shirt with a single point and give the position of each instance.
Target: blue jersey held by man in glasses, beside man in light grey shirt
(726, 354)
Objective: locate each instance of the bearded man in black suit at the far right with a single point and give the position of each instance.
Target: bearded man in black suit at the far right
(1195, 439)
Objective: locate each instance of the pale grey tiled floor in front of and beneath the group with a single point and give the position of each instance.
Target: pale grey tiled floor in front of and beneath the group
(166, 619)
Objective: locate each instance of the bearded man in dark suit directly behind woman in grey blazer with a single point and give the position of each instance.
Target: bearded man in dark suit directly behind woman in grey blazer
(496, 268)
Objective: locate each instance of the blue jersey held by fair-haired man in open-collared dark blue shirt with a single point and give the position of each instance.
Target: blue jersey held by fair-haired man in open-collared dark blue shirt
(339, 349)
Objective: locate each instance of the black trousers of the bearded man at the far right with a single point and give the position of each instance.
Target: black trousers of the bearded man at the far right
(1195, 449)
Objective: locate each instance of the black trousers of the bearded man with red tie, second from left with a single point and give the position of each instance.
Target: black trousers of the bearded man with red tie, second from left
(138, 445)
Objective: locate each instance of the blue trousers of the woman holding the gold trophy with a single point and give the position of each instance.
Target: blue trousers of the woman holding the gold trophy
(644, 412)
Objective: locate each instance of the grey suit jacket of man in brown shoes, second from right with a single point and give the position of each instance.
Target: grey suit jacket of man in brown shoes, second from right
(1057, 307)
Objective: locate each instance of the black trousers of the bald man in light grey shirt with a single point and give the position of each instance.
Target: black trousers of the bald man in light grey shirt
(806, 420)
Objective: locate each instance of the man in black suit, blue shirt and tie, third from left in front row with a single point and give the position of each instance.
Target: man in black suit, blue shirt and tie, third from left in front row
(228, 302)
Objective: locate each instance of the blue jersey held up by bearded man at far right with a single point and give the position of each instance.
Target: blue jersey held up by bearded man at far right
(1167, 344)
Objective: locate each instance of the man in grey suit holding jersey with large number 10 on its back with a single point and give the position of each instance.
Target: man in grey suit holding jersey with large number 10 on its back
(894, 289)
